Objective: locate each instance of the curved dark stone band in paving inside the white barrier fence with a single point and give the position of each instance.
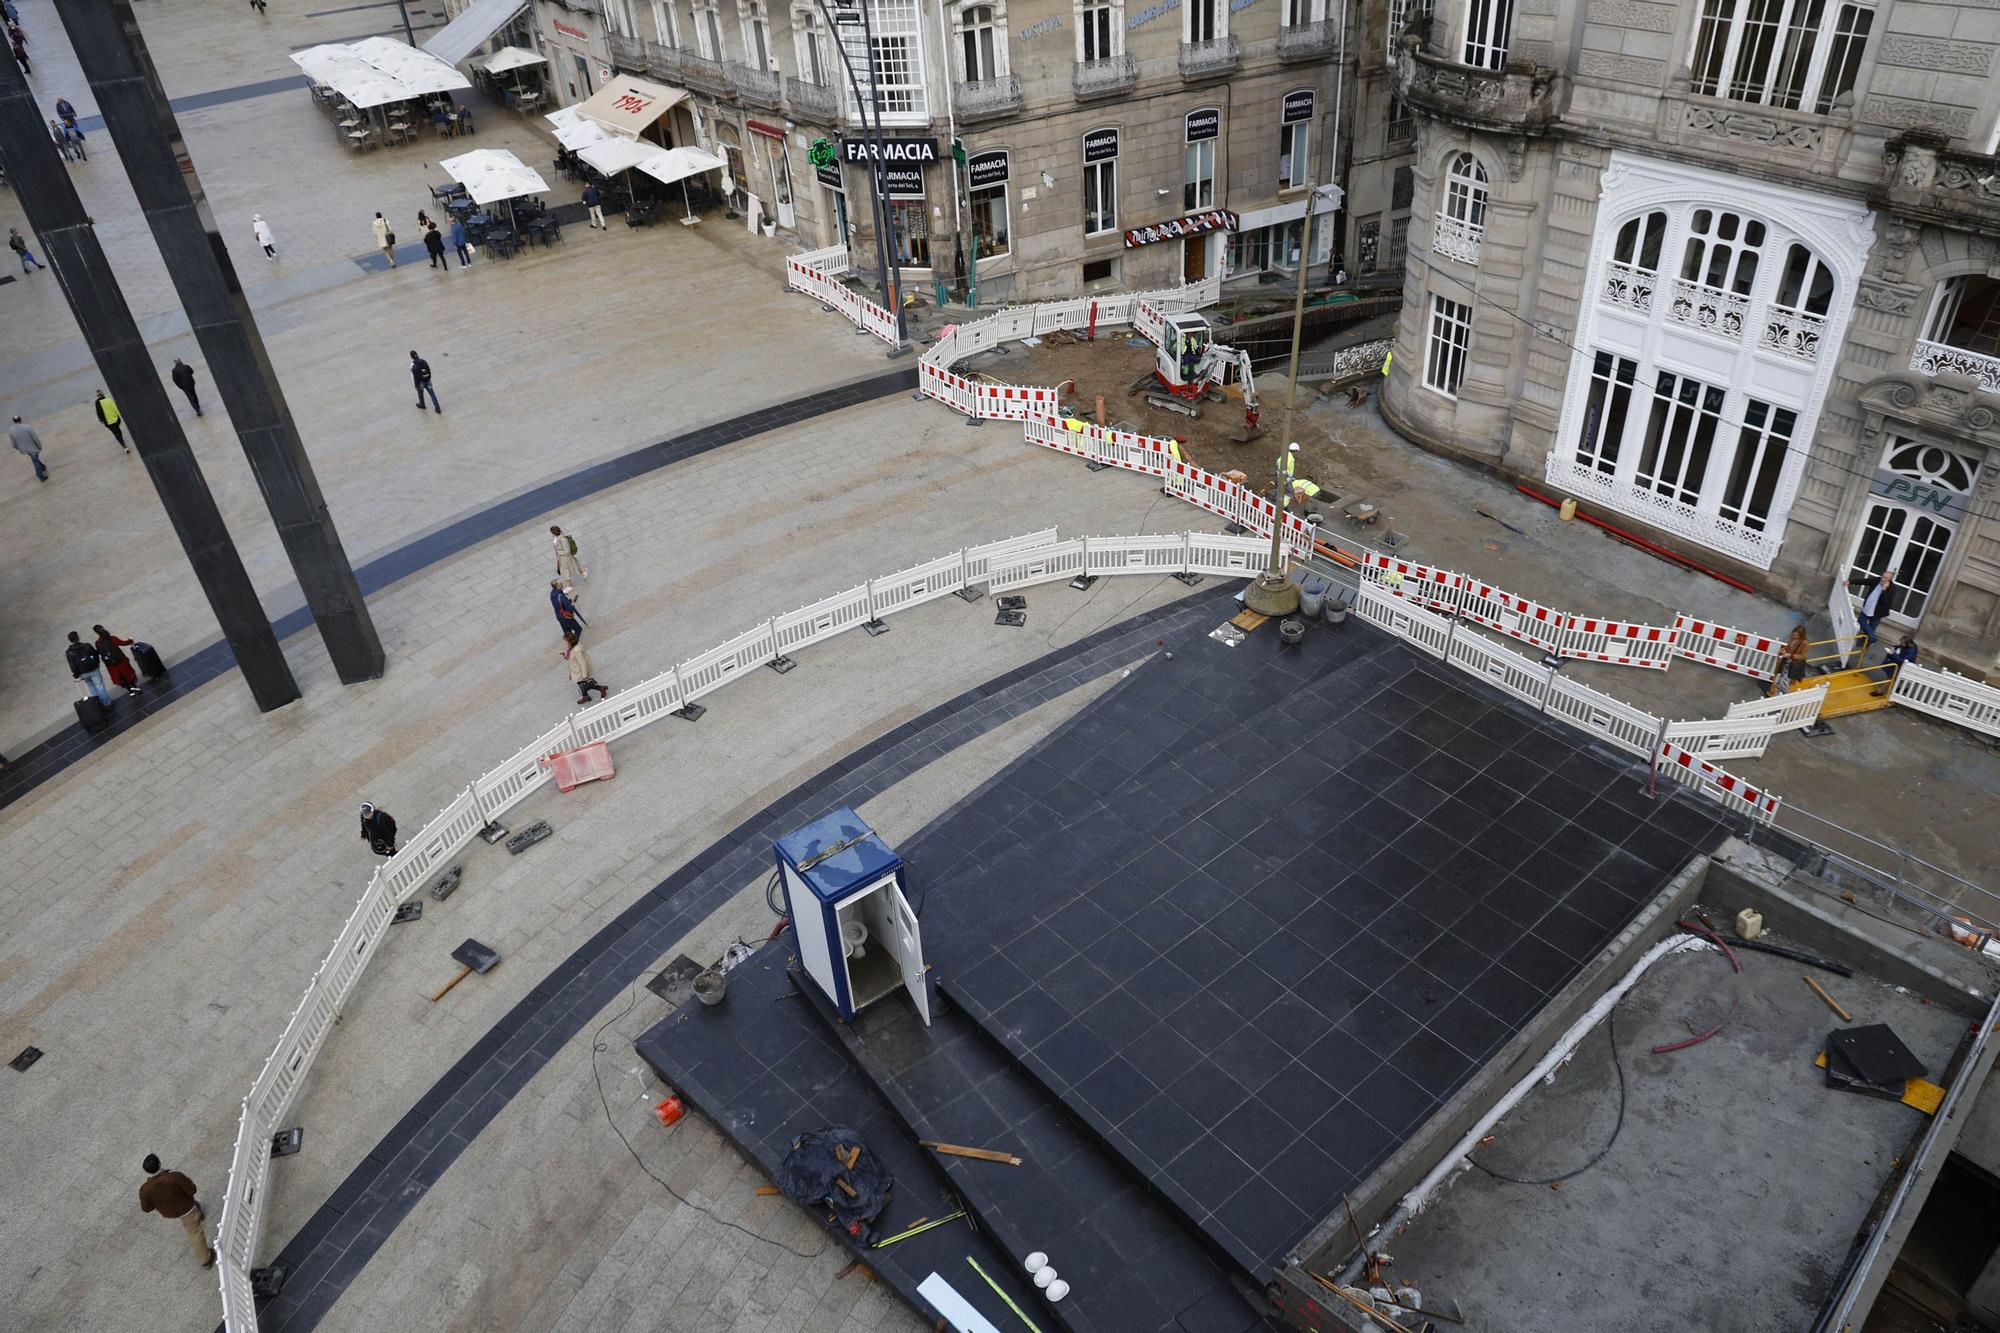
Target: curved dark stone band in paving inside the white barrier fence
(361, 1216)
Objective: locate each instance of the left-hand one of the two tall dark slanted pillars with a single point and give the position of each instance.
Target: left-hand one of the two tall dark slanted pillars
(77, 263)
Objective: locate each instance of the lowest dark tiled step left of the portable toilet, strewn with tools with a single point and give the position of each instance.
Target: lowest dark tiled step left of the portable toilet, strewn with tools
(767, 1070)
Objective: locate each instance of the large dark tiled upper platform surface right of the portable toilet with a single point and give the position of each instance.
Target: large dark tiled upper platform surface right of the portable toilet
(1257, 914)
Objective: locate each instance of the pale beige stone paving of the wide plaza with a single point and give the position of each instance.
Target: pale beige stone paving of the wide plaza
(169, 898)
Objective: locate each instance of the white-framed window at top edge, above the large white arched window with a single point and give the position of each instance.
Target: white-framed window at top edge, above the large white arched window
(1799, 55)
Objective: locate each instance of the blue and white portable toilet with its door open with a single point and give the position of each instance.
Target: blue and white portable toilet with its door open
(845, 896)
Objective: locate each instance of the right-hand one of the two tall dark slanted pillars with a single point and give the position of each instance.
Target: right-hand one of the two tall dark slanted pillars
(143, 125)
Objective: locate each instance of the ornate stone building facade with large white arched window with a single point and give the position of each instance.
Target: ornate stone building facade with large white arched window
(1727, 271)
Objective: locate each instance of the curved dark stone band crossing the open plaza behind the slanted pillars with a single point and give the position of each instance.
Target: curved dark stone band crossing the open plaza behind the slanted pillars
(69, 746)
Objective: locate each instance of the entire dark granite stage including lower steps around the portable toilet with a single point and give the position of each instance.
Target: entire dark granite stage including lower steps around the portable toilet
(1207, 956)
